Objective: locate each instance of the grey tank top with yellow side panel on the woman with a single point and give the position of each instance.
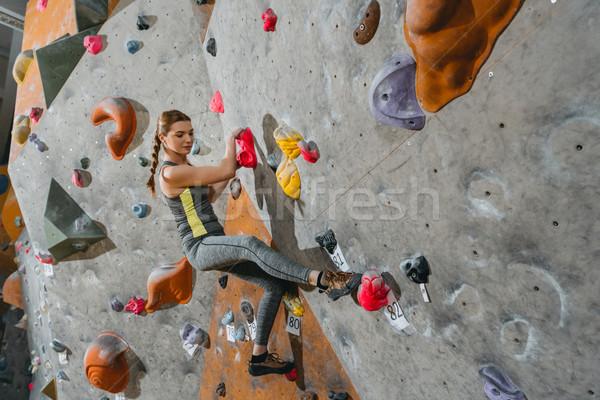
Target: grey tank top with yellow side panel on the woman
(193, 212)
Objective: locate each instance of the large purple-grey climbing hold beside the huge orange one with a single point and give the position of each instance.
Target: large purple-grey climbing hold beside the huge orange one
(392, 96)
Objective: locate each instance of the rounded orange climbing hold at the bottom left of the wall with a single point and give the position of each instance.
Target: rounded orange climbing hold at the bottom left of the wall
(105, 364)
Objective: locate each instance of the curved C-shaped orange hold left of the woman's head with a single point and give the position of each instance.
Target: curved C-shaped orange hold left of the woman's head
(121, 111)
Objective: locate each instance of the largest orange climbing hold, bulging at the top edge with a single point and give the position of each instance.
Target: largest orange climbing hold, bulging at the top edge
(451, 39)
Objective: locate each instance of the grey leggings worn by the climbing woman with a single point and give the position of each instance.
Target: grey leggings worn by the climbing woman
(250, 259)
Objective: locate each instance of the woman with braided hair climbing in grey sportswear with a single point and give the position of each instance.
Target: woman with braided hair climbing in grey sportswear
(189, 192)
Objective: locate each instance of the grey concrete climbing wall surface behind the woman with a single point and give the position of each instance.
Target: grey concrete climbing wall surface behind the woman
(498, 191)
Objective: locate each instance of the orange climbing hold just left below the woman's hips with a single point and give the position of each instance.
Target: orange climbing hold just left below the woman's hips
(170, 283)
